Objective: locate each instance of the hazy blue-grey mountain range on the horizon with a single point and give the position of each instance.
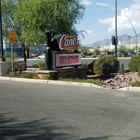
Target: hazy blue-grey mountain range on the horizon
(123, 39)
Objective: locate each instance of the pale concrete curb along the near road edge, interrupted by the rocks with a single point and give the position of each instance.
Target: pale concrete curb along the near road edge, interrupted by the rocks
(136, 89)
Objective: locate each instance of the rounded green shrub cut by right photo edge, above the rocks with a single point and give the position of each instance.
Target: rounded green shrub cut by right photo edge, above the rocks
(134, 62)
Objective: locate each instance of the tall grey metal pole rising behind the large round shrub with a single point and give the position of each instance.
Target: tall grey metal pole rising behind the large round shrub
(116, 38)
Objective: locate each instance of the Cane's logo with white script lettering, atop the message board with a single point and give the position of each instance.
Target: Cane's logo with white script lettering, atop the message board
(67, 42)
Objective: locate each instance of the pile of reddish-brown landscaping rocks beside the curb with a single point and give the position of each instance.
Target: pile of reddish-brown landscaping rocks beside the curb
(119, 81)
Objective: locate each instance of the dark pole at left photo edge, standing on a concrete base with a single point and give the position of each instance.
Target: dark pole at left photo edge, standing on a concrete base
(1, 38)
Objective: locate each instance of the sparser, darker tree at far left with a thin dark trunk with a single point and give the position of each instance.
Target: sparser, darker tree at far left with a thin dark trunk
(8, 10)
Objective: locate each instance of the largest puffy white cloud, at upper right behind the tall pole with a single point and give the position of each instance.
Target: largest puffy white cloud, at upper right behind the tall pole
(123, 23)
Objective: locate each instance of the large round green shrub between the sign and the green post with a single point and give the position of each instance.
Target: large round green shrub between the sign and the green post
(105, 65)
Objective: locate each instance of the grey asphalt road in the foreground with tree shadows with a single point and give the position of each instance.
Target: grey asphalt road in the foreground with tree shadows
(31, 111)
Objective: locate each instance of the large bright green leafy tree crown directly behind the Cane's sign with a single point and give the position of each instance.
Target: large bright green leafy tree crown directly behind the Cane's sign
(40, 16)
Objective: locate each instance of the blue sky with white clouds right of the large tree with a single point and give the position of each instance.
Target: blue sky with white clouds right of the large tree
(99, 19)
